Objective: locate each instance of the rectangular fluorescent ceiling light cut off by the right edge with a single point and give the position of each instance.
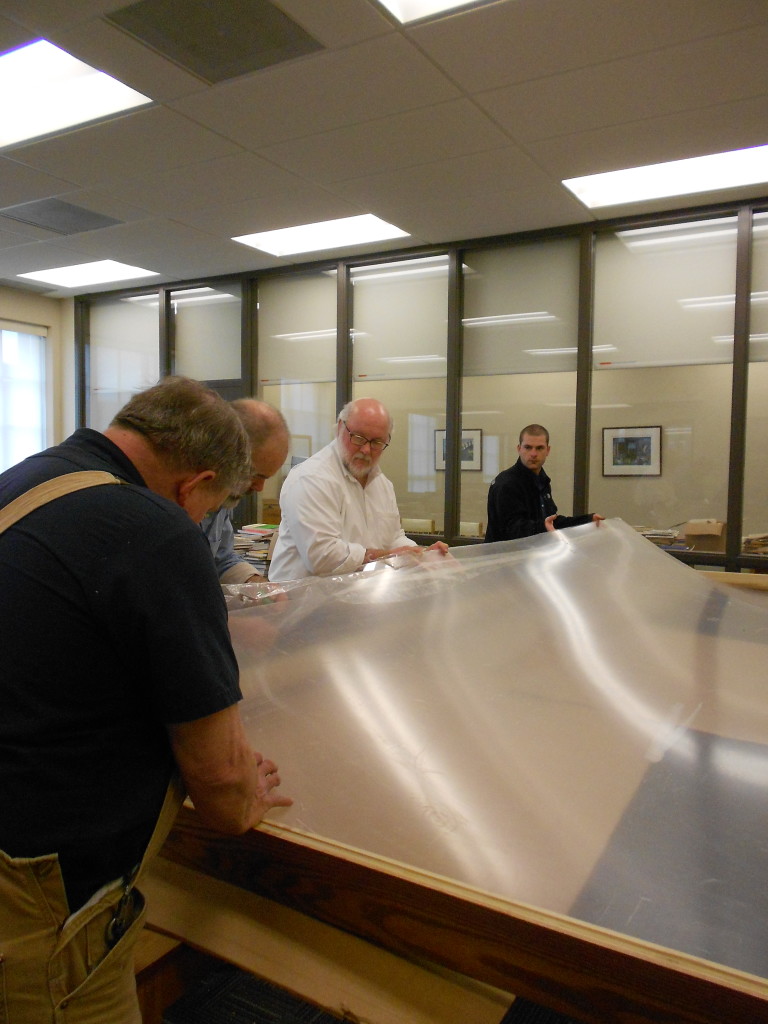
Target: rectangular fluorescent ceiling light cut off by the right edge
(678, 178)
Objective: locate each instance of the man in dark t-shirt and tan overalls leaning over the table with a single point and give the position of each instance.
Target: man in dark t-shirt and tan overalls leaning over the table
(118, 669)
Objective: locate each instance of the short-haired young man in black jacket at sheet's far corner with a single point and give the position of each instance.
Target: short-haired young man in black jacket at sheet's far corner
(521, 502)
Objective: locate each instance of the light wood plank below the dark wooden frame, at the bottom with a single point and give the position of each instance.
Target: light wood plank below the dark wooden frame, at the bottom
(339, 972)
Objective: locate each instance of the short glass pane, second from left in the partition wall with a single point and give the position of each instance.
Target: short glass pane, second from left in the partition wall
(207, 329)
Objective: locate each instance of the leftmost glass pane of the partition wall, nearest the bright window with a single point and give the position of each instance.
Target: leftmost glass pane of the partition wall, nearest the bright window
(124, 354)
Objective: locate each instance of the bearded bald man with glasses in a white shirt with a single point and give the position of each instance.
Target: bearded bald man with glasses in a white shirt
(338, 509)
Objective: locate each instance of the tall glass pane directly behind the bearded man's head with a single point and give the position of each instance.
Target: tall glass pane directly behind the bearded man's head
(400, 358)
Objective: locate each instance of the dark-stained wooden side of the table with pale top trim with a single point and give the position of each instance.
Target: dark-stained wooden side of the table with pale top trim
(572, 967)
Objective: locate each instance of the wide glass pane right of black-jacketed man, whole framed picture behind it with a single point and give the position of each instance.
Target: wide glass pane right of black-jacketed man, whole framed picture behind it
(662, 386)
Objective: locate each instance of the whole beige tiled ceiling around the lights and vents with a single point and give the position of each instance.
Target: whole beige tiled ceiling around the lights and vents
(453, 130)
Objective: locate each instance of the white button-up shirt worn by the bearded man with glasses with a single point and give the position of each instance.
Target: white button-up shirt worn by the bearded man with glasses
(329, 520)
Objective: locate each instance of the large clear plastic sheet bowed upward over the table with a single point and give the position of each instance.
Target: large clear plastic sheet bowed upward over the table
(575, 721)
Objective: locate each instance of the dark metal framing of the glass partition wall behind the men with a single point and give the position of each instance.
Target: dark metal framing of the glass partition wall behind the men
(588, 234)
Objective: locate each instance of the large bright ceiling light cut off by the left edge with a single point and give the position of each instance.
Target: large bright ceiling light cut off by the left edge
(53, 91)
